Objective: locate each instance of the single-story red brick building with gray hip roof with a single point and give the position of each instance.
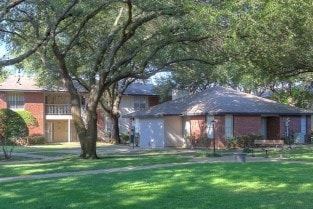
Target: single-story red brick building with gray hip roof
(219, 113)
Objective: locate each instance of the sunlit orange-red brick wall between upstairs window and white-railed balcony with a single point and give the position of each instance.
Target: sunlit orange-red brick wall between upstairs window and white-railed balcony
(35, 103)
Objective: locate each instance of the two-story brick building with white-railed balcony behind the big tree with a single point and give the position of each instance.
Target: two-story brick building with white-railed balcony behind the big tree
(51, 107)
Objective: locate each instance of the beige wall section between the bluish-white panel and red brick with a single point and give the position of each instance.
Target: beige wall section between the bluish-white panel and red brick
(173, 130)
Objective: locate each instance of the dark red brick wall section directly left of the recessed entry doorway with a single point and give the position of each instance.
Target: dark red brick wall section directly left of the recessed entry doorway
(247, 125)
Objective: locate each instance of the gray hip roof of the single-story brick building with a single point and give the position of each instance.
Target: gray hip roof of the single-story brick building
(219, 101)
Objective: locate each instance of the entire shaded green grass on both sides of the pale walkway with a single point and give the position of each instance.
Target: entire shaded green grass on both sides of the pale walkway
(222, 185)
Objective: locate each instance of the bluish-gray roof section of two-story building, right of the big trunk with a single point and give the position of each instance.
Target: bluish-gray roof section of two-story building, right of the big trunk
(140, 89)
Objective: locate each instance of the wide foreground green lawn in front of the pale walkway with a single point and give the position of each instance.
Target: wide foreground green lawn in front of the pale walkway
(222, 185)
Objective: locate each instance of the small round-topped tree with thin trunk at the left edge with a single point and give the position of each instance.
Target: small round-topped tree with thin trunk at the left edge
(12, 127)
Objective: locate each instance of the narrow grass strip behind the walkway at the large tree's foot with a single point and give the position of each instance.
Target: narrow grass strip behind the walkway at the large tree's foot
(75, 164)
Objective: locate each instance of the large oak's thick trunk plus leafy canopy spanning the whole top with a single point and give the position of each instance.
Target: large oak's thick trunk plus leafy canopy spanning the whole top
(99, 43)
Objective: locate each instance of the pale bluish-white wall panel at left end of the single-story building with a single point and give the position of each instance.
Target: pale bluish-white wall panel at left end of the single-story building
(151, 132)
